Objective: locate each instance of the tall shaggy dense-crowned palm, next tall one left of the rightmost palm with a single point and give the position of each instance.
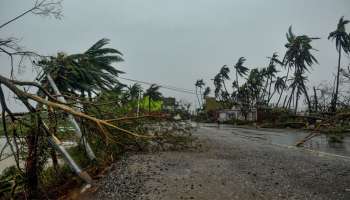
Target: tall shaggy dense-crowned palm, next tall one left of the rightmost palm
(299, 57)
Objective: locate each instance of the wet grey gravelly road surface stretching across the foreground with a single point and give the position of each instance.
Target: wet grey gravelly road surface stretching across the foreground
(228, 167)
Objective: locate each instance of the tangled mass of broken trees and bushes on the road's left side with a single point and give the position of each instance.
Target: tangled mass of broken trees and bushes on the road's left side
(78, 117)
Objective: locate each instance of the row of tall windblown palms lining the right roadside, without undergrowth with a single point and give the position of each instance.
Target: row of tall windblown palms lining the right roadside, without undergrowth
(265, 87)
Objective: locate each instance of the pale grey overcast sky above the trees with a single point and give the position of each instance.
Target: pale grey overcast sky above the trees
(176, 42)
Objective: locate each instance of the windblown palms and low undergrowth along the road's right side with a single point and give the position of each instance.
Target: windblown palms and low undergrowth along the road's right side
(279, 93)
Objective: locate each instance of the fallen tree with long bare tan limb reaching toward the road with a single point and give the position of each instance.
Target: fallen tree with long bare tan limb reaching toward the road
(111, 131)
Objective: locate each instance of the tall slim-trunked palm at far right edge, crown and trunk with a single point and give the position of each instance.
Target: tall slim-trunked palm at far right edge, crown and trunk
(342, 42)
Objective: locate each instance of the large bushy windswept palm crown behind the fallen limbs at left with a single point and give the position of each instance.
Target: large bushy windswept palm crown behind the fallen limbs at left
(90, 71)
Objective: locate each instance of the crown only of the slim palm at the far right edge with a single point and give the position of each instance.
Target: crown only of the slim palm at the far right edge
(342, 39)
